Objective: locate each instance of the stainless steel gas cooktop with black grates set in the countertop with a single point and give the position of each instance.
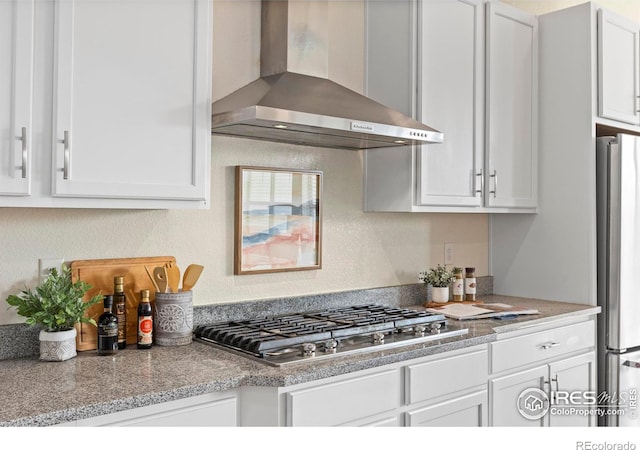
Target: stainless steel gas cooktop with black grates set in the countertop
(304, 337)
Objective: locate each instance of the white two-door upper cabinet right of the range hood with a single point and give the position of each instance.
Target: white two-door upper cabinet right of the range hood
(472, 72)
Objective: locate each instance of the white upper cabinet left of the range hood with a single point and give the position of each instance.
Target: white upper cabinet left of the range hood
(122, 104)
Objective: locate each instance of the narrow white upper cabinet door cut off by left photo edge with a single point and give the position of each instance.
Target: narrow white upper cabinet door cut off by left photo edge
(16, 84)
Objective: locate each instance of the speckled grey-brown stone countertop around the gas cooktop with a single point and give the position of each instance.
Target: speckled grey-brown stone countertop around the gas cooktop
(36, 393)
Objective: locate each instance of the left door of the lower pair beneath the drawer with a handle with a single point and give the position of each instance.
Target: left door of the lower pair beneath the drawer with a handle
(505, 392)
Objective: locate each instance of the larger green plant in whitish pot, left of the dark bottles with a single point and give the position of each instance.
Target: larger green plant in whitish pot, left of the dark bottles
(56, 305)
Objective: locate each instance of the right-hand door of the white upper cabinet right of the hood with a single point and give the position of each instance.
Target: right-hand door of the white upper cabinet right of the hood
(511, 102)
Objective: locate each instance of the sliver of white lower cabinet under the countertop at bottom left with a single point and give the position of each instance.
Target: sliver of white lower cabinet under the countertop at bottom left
(207, 410)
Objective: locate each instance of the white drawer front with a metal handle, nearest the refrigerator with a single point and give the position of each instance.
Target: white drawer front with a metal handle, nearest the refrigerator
(541, 346)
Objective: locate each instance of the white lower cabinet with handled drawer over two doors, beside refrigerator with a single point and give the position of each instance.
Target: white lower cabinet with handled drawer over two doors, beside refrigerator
(550, 380)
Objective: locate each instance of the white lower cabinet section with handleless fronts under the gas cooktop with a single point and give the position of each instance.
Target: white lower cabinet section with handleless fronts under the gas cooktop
(445, 389)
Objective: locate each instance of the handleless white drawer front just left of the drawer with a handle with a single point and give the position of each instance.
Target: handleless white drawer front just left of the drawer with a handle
(444, 376)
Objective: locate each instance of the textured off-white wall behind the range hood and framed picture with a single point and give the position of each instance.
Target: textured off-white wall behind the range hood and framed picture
(360, 250)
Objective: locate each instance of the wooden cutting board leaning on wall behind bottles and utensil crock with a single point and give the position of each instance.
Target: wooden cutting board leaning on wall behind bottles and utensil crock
(99, 273)
